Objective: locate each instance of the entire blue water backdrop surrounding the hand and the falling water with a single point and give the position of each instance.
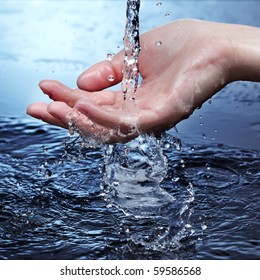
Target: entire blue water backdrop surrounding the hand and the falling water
(53, 204)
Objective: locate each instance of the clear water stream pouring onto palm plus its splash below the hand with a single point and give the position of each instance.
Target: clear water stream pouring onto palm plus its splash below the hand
(134, 170)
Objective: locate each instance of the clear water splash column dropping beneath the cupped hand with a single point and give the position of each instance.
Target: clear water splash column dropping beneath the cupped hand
(133, 173)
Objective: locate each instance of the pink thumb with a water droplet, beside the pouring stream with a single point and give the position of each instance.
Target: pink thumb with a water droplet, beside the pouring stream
(102, 75)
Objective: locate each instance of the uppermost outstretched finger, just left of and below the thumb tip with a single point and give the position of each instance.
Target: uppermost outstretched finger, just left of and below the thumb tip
(59, 92)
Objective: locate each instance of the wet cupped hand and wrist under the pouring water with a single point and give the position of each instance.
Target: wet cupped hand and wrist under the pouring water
(195, 60)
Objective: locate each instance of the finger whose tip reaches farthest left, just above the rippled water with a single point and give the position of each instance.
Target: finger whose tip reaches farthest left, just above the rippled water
(39, 111)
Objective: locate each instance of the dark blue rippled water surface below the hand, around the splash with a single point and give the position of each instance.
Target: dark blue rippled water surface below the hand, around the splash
(63, 214)
